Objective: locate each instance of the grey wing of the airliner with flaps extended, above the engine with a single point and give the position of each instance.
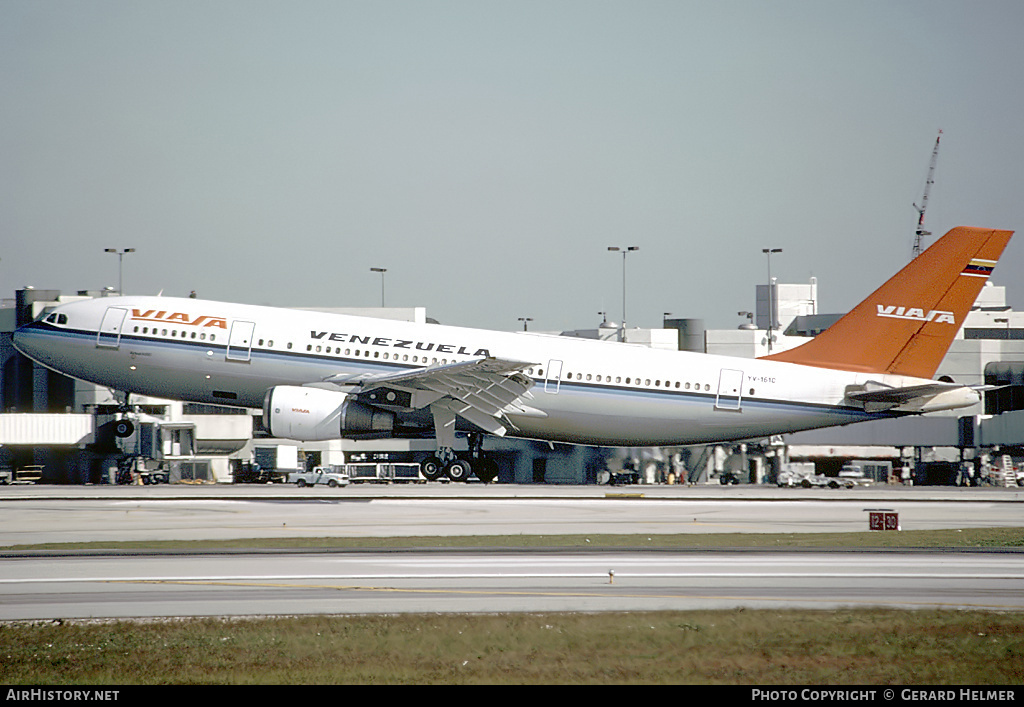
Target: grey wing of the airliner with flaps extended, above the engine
(483, 391)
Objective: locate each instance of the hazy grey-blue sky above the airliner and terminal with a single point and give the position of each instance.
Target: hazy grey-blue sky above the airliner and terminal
(488, 153)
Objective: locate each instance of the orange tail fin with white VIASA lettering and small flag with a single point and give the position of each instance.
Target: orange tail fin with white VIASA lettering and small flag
(906, 327)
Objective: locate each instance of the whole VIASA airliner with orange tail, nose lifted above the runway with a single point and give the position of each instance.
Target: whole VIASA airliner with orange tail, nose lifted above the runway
(322, 377)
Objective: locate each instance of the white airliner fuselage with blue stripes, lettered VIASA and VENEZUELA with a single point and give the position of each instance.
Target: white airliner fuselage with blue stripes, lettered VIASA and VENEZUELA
(589, 392)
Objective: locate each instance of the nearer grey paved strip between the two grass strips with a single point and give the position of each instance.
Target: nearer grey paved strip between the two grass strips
(277, 584)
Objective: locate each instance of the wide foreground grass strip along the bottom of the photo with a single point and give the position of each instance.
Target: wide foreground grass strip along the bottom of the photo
(763, 648)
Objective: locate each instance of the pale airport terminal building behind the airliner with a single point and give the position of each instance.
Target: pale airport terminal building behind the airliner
(68, 432)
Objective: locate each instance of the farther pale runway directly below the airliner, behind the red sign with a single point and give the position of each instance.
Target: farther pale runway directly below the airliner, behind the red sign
(62, 515)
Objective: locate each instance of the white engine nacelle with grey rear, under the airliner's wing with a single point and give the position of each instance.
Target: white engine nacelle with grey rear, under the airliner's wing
(315, 414)
